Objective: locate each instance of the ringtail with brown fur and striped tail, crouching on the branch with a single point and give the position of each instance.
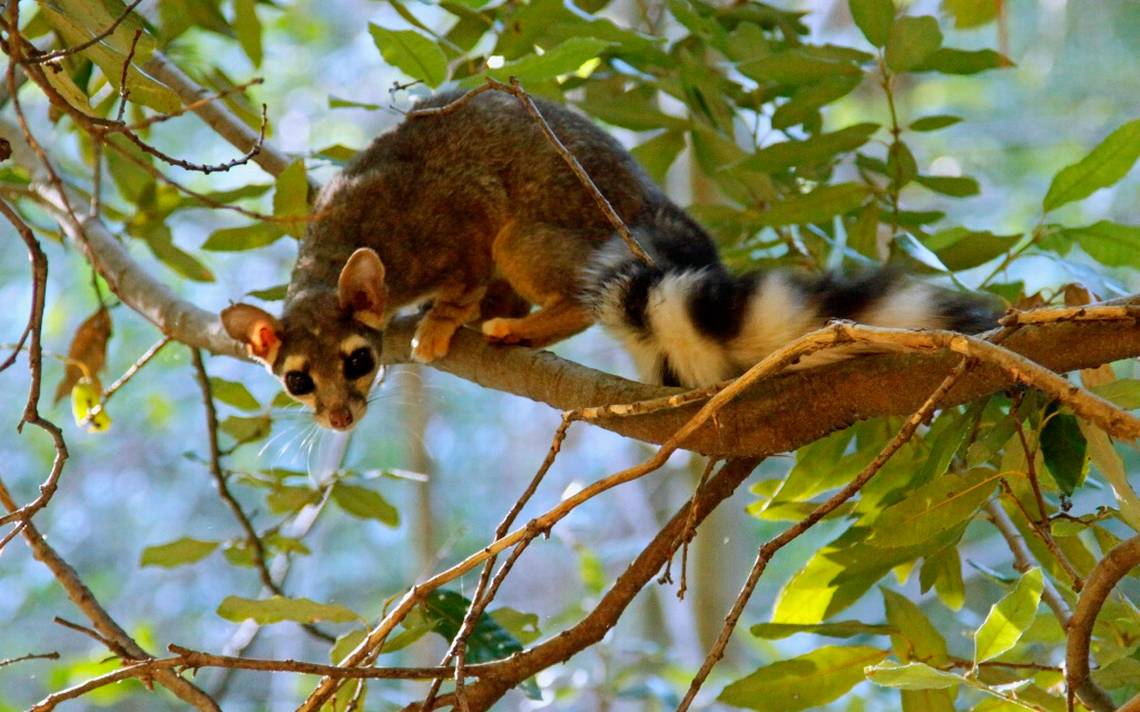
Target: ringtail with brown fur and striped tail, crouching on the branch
(476, 212)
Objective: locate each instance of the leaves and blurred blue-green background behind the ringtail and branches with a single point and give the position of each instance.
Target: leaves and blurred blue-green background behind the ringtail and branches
(772, 122)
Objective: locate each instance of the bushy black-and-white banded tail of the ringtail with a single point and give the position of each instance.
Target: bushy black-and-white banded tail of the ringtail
(688, 322)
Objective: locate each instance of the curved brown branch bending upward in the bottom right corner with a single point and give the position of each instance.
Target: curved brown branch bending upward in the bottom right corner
(1104, 578)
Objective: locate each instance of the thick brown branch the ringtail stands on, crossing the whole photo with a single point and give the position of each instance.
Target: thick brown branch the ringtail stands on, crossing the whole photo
(770, 419)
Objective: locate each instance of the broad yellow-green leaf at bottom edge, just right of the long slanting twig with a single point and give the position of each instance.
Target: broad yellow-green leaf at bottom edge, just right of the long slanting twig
(803, 683)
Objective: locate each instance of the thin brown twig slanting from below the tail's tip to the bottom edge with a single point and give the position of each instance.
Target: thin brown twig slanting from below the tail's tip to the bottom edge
(770, 550)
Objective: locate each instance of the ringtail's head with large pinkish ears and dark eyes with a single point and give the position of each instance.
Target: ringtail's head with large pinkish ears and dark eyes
(327, 349)
